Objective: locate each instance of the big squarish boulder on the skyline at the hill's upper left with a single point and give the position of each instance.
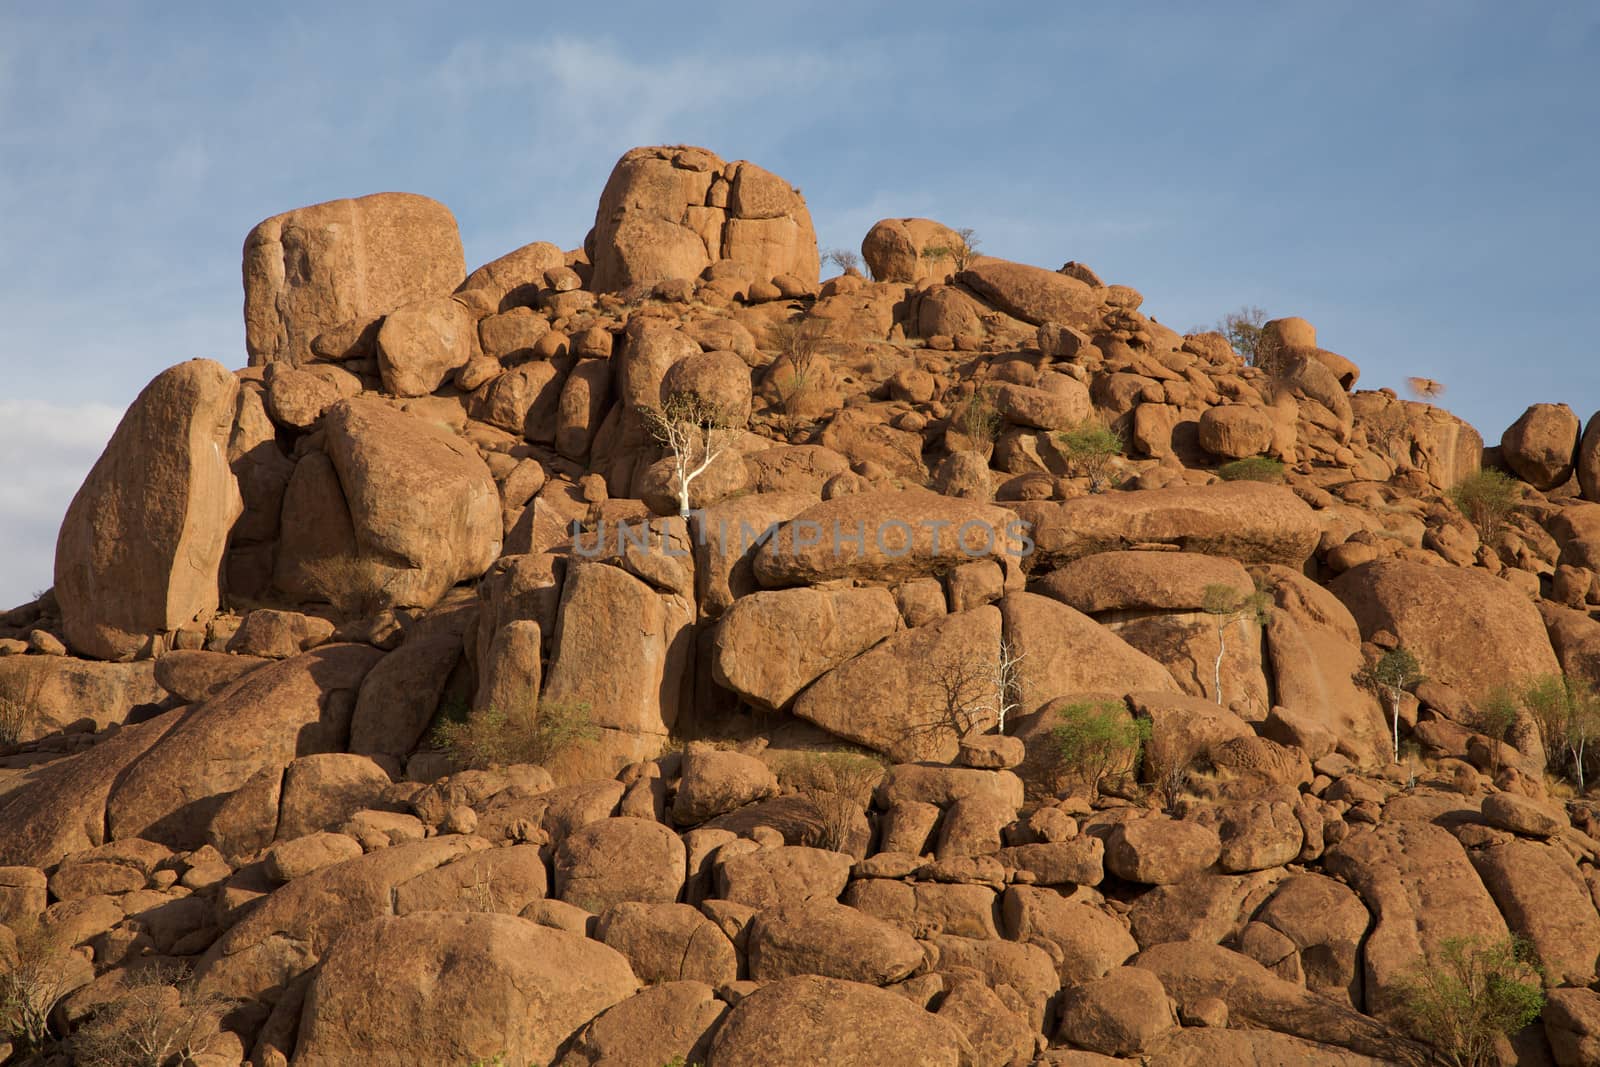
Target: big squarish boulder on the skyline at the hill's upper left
(318, 268)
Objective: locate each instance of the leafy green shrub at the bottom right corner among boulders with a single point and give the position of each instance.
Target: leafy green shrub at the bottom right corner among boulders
(1471, 996)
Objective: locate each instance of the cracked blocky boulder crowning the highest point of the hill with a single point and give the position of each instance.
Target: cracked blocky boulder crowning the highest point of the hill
(673, 212)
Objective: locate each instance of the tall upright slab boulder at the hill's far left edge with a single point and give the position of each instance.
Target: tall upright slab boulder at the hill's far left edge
(142, 545)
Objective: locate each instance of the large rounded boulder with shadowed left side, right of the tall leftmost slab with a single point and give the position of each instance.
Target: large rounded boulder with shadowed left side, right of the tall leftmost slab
(423, 511)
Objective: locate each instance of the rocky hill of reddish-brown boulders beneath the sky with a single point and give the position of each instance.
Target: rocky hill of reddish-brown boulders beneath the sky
(655, 653)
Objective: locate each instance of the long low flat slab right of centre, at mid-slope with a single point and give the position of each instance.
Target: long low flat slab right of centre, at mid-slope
(1244, 521)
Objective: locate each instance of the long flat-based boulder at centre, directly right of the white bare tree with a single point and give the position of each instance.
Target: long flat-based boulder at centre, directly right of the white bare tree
(887, 535)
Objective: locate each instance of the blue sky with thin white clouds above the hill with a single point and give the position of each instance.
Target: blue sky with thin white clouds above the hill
(1417, 178)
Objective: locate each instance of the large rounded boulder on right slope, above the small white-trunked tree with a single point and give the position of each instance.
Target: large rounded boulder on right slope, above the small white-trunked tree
(1468, 628)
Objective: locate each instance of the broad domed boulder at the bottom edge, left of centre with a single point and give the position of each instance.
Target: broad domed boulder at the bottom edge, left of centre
(455, 988)
